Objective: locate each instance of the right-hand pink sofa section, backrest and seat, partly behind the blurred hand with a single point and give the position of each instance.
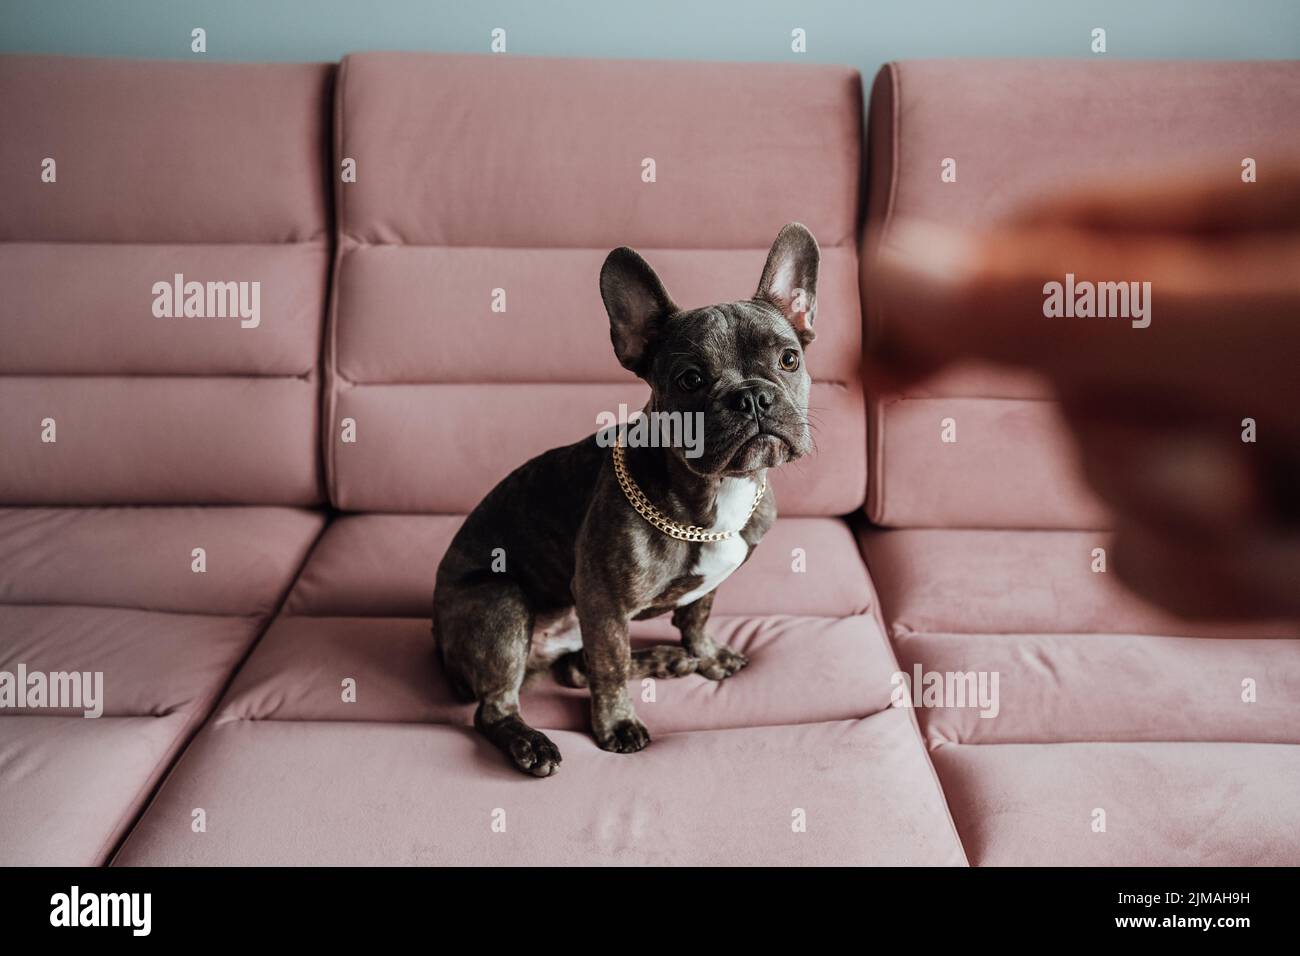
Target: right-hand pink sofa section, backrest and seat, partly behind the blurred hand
(1121, 736)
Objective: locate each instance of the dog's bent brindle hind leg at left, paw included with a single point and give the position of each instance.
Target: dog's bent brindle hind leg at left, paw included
(484, 631)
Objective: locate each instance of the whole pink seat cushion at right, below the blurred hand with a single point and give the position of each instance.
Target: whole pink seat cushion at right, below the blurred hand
(1186, 734)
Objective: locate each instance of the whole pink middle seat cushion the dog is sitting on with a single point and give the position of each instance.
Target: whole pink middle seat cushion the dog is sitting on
(807, 729)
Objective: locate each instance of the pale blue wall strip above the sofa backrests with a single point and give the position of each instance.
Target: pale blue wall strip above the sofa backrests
(861, 33)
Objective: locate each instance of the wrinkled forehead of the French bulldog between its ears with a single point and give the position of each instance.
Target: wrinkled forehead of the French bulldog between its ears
(725, 335)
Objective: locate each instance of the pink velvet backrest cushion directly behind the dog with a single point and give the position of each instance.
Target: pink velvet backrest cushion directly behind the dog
(476, 174)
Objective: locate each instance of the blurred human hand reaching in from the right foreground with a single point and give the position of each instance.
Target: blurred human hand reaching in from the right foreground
(1190, 427)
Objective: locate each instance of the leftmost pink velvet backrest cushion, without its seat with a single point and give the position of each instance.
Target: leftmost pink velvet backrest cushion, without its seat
(211, 172)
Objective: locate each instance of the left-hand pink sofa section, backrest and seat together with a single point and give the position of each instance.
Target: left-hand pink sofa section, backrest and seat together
(210, 429)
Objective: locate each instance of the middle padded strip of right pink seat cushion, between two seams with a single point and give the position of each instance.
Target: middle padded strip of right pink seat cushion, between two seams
(1093, 687)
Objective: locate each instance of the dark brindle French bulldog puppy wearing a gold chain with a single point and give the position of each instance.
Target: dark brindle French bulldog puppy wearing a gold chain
(606, 531)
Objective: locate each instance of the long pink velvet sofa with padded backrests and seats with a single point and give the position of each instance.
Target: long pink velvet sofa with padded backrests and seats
(226, 689)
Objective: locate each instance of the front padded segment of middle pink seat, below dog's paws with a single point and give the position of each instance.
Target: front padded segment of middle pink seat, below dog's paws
(428, 794)
